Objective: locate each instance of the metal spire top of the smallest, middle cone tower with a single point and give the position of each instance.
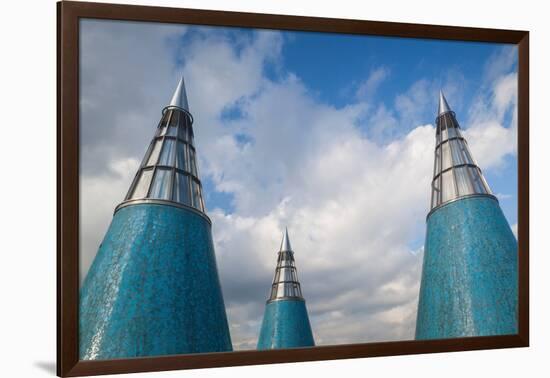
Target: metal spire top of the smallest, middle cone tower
(285, 283)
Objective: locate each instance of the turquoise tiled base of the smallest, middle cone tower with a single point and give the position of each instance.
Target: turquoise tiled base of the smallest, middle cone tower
(285, 325)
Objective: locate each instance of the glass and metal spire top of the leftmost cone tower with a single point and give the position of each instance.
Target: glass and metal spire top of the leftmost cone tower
(169, 171)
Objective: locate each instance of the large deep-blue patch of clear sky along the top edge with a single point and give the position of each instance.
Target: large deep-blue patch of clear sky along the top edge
(340, 61)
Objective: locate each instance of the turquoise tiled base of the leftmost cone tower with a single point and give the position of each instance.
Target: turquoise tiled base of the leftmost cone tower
(153, 288)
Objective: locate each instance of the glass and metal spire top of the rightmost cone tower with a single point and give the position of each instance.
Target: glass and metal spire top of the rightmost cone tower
(456, 174)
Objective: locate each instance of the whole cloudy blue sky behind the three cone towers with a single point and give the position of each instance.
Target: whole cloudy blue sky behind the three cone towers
(330, 135)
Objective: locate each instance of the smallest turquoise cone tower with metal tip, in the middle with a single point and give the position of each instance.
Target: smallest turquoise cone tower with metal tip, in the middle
(285, 323)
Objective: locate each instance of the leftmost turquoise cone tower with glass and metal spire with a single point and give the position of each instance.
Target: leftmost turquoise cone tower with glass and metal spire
(153, 288)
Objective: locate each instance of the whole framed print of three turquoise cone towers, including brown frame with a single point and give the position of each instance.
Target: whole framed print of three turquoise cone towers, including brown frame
(239, 188)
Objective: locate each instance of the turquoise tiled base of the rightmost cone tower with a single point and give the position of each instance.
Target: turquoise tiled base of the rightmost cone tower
(469, 278)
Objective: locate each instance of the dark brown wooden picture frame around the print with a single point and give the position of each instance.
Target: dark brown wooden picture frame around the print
(68, 15)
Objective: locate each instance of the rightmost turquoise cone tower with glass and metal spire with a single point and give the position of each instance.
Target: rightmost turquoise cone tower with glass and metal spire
(469, 281)
